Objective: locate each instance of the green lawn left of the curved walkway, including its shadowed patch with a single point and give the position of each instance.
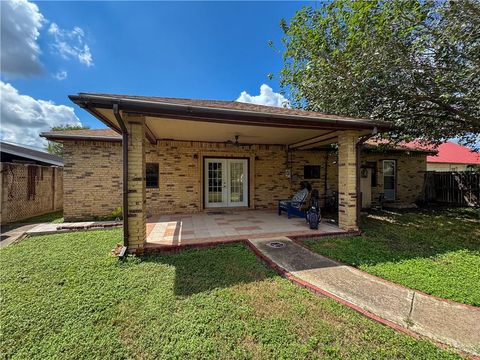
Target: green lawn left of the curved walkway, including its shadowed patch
(65, 297)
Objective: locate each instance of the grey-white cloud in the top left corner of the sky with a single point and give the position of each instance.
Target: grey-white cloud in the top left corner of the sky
(20, 24)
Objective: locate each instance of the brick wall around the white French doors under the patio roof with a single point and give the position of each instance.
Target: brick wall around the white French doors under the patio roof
(181, 174)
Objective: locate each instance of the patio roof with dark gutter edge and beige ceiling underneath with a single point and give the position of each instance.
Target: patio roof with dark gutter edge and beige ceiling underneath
(222, 121)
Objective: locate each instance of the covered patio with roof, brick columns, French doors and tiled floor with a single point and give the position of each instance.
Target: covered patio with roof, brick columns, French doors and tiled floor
(225, 165)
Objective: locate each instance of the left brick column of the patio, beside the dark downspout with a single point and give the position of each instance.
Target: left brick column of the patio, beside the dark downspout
(137, 231)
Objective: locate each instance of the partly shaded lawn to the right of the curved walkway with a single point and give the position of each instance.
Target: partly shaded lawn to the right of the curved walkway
(434, 250)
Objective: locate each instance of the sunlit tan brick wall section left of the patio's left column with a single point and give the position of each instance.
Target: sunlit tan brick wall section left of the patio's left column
(92, 179)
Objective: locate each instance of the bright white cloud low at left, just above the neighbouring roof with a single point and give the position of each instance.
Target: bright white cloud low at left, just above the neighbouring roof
(23, 118)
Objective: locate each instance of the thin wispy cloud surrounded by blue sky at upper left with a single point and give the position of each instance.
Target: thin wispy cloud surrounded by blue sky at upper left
(71, 44)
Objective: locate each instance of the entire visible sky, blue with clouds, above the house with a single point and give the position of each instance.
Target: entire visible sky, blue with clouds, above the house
(209, 50)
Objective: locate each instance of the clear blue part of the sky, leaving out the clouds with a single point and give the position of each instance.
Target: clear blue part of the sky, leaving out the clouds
(211, 50)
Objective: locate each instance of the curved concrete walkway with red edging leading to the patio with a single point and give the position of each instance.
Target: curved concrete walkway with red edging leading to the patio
(447, 322)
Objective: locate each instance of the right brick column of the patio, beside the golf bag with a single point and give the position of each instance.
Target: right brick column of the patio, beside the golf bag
(347, 181)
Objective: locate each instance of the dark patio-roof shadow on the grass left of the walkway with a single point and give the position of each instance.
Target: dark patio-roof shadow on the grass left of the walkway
(203, 270)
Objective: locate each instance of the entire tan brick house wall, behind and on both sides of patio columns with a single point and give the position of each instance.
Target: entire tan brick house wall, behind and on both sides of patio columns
(93, 175)
